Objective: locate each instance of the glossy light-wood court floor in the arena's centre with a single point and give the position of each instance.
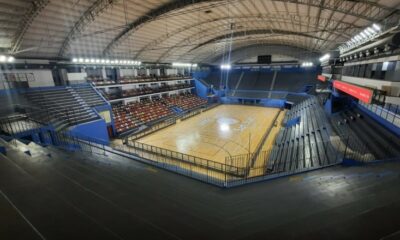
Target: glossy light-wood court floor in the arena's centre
(225, 130)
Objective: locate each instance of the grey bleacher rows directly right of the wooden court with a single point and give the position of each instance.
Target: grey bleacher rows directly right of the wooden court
(305, 144)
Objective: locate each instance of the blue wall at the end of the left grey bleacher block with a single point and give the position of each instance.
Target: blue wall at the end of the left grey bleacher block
(95, 131)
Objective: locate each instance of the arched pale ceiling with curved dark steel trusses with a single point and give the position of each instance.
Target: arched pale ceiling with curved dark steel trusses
(187, 31)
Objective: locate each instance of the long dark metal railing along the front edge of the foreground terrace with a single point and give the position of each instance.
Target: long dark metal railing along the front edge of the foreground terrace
(277, 162)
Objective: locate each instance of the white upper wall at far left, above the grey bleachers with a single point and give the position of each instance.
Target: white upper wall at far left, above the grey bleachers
(41, 78)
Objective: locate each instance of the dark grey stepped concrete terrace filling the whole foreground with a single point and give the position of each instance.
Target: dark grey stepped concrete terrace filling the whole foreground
(72, 196)
